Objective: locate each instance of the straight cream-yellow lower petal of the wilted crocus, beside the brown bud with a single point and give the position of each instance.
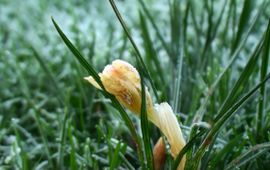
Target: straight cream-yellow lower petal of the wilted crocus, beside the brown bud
(168, 124)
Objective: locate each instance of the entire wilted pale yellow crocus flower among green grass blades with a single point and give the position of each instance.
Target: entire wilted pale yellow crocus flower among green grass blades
(123, 81)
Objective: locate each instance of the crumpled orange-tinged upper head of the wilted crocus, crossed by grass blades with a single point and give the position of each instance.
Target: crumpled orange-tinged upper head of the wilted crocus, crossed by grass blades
(123, 81)
